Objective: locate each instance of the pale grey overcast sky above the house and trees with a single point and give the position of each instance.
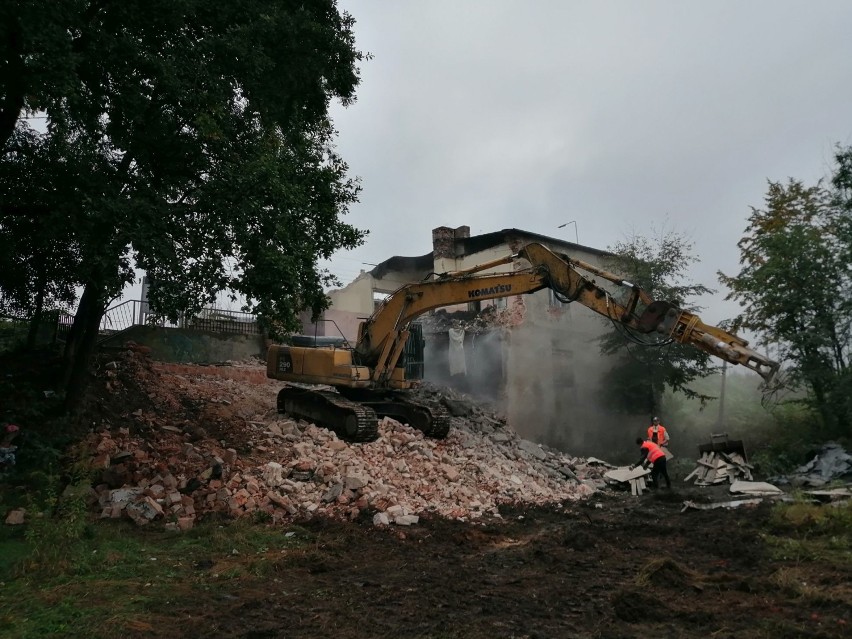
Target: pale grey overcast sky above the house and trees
(619, 115)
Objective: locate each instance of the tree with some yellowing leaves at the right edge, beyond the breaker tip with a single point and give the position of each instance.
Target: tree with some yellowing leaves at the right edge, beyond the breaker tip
(795, 285)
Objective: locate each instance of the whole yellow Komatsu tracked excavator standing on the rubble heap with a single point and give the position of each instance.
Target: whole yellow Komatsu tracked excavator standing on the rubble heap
(369, 381)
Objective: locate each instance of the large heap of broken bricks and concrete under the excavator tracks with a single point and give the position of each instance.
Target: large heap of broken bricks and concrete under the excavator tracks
(239, 457)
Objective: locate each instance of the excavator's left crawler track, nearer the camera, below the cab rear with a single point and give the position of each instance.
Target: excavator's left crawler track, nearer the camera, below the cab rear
(351, 421)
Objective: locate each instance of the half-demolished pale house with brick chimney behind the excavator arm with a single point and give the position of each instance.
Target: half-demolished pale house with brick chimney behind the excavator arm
(537, 358)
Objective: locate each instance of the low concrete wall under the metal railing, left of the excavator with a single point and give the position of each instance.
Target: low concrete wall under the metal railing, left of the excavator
(191, 346)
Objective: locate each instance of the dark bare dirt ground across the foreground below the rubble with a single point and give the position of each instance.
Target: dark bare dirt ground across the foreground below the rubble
(630, 568)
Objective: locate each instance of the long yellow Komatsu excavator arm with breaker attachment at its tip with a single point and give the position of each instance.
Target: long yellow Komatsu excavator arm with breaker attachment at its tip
(382, 337)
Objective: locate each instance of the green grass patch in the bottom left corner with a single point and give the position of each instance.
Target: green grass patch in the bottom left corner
(116, 580)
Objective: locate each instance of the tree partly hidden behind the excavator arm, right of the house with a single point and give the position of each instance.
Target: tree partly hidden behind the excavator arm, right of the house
(657, 265)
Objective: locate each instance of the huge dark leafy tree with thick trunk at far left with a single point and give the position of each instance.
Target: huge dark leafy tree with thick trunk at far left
(195, 143)
